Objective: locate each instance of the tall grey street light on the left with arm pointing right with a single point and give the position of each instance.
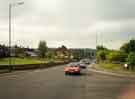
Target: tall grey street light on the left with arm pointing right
(10, 41)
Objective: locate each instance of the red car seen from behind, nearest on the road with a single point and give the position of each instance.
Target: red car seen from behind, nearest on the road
(72, 69)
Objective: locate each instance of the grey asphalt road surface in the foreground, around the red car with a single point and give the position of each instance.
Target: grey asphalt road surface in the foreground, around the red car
(51, 83)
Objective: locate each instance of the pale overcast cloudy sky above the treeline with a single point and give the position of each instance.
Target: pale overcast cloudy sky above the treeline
(73, 23)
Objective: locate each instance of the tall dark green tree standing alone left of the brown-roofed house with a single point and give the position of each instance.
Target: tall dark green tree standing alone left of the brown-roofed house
(42, 47)
